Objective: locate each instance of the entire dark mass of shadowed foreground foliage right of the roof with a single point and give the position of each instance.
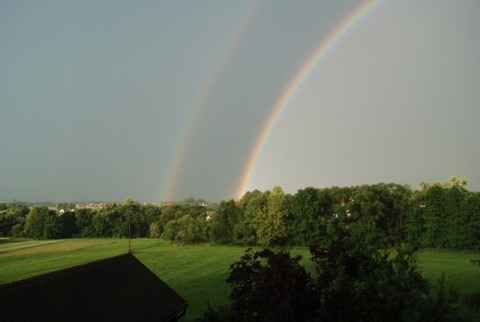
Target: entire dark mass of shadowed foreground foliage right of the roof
(352, 283)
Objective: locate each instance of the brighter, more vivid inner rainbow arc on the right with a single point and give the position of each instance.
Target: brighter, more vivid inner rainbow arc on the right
(306, 69)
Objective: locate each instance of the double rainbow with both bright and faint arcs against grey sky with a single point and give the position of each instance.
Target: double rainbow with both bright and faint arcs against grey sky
(205, 92)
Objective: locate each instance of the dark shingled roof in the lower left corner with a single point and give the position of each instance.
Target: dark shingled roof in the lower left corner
(119, 288)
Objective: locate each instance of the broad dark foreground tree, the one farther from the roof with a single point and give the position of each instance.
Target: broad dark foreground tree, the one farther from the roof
(357, 283)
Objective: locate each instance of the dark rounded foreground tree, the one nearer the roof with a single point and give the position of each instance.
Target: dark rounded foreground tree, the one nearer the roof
(268, 286)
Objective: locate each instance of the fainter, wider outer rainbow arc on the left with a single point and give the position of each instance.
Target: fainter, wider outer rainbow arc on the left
(201, 100)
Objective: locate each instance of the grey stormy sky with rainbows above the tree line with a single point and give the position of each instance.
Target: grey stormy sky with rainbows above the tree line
(167, 100)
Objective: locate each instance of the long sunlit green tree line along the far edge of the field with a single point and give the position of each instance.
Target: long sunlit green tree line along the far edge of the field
(440, 215)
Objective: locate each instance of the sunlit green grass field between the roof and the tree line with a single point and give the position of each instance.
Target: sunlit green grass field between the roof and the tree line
(197, 273)
